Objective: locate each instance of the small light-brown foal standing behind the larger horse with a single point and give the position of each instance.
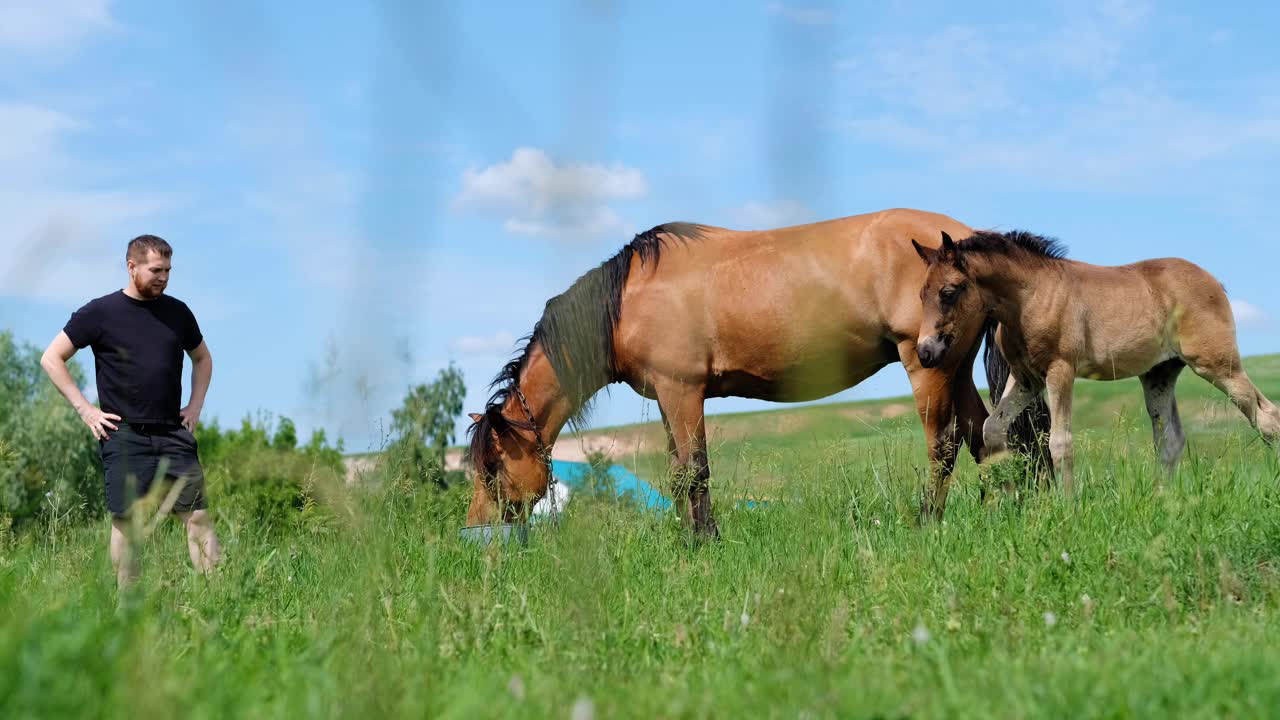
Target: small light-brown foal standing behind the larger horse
(1060, 320)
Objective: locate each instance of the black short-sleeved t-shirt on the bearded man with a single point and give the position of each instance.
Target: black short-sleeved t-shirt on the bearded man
(138, 353)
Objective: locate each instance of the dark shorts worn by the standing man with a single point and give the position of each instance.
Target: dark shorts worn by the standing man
(136, 458)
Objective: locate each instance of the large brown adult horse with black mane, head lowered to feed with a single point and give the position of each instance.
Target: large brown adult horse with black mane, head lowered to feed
(685, 313)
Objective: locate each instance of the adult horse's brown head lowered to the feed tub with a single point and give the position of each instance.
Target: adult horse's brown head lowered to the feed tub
(510, 466)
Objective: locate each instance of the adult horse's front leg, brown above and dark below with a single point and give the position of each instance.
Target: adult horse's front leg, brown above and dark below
(683, 413)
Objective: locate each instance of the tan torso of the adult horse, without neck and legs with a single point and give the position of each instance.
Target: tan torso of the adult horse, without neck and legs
(789, 313)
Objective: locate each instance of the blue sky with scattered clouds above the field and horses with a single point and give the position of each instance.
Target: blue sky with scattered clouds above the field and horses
(359, 195)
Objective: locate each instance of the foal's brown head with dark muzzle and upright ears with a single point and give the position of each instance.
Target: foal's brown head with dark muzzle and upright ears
(954, 311)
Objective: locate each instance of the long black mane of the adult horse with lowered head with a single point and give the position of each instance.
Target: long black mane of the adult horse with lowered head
(577, 335)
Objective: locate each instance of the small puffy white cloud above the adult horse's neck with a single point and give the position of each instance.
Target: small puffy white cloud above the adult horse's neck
(534, 195)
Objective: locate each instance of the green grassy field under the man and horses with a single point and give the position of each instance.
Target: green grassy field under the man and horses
(1144, 598)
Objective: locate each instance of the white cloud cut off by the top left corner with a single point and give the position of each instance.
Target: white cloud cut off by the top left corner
(44, 26)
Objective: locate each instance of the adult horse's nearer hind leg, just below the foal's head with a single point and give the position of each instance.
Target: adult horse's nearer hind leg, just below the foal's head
(935, 402)
